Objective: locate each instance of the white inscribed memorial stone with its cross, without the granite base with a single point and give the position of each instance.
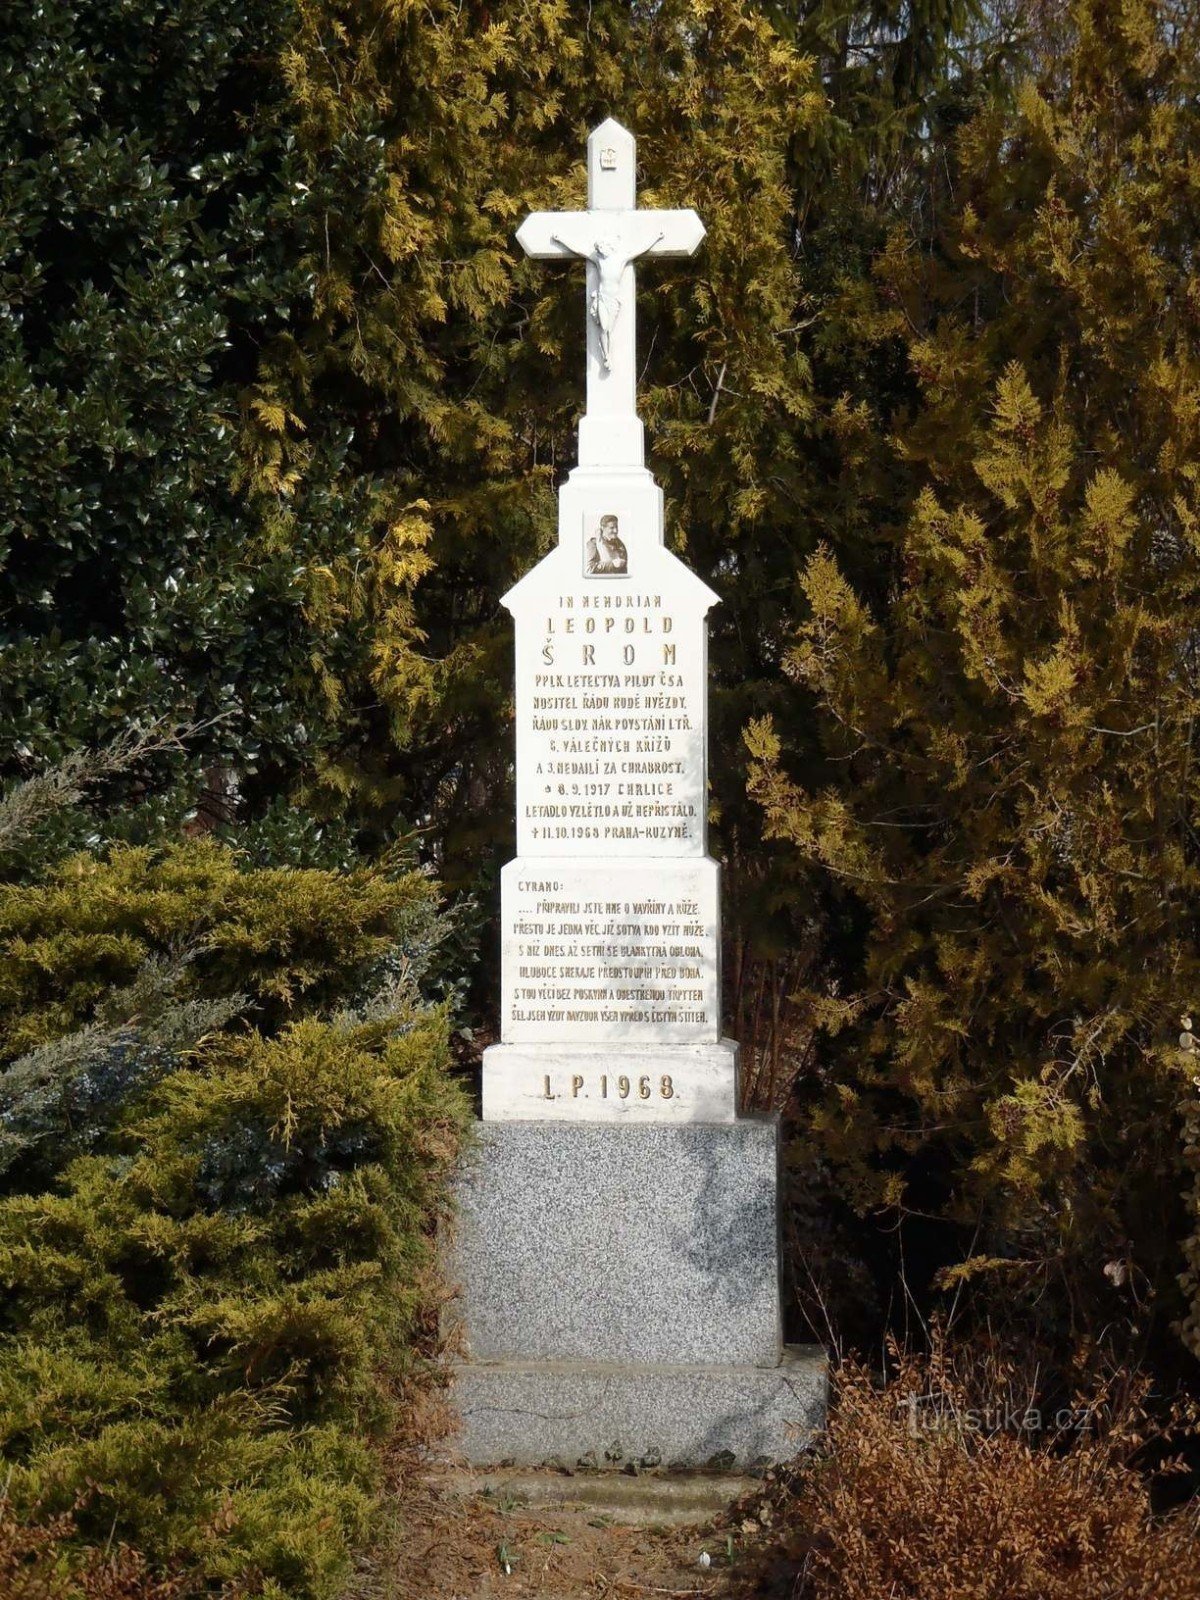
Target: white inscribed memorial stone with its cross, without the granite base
(612, 910)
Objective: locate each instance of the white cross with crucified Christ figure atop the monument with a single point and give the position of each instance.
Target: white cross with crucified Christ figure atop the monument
(610, 236)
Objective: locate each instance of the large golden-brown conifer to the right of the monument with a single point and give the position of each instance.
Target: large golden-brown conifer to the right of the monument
(1009, 706)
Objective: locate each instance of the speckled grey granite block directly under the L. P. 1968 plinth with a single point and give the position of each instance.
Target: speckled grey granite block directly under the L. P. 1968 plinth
(598, 1242)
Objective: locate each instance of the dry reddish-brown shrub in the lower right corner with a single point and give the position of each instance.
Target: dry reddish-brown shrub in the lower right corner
(942, 1486)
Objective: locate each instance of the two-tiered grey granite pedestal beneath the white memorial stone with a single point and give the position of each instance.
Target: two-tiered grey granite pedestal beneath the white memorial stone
(618, 1297)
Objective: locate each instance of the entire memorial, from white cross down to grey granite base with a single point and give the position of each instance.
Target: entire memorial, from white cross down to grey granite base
(617, 1241)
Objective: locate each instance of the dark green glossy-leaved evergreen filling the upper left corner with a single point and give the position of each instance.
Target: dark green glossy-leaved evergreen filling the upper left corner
(153, 238)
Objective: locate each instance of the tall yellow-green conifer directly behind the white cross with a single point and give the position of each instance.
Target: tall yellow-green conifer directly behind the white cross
(430, 130)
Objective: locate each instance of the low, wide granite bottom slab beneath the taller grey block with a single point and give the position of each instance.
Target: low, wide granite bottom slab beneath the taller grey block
(530, 1414)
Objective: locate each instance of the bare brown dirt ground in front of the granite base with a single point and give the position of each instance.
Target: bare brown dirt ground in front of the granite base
(468, 1537)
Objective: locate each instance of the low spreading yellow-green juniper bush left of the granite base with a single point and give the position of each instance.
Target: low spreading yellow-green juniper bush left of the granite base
(199, 1319)
